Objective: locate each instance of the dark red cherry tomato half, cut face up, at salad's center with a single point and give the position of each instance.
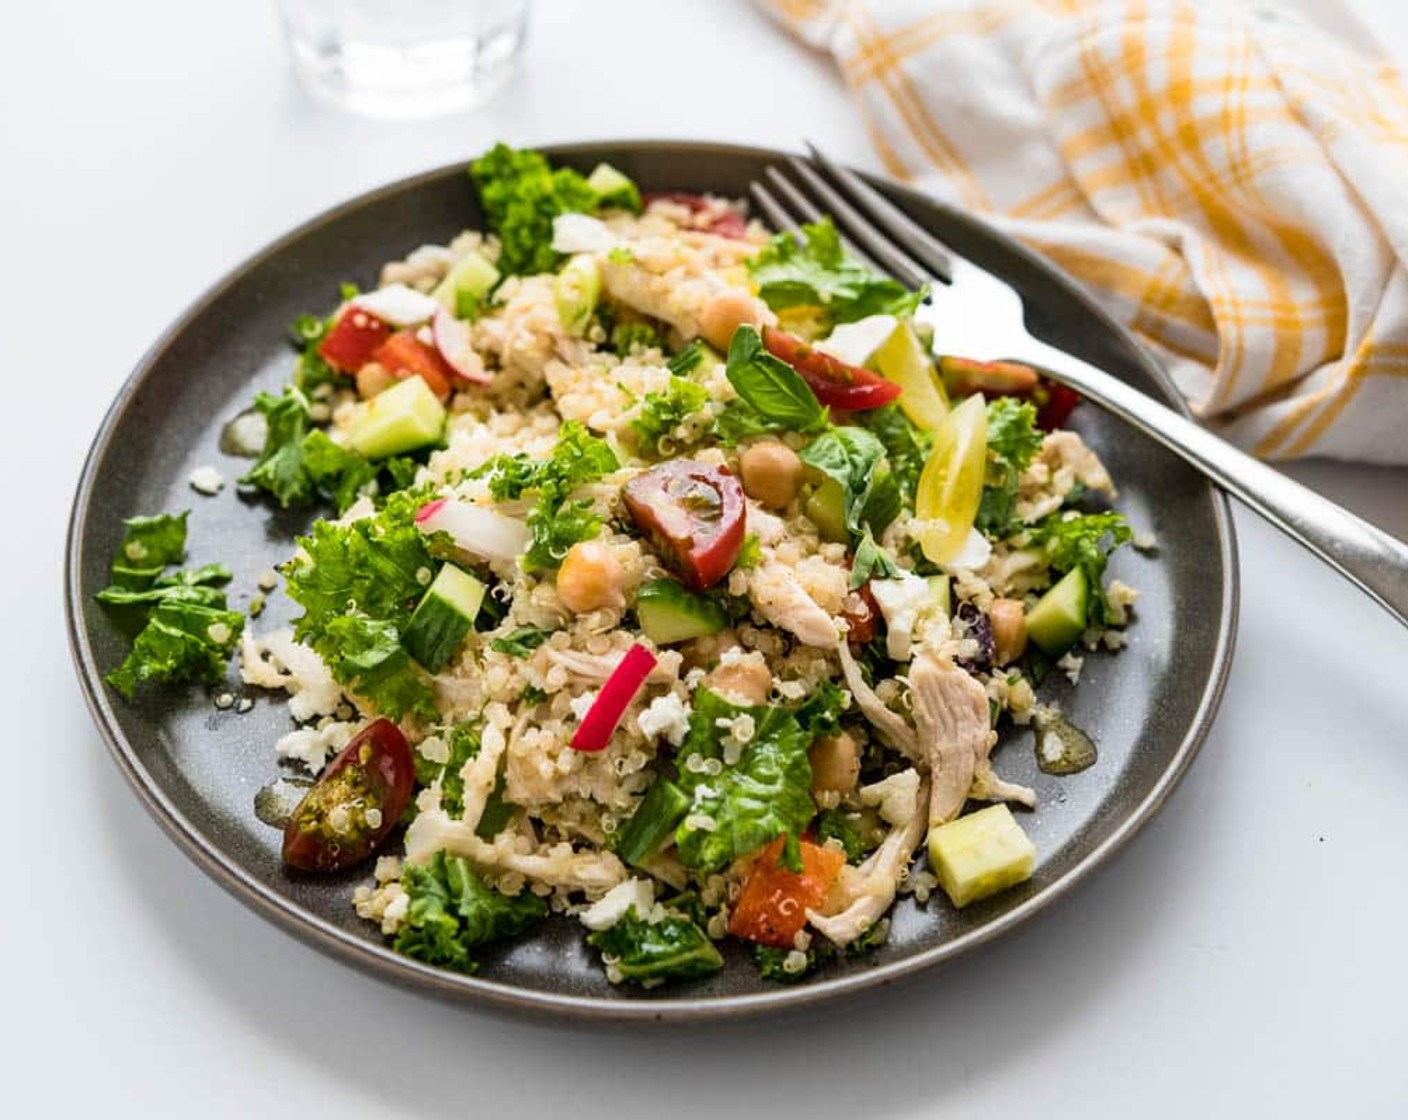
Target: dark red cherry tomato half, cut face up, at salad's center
(693, 515)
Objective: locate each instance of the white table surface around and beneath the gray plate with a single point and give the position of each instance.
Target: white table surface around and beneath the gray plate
(1244, 954)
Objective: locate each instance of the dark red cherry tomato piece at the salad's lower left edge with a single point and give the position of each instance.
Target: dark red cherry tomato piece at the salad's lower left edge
(357, 802)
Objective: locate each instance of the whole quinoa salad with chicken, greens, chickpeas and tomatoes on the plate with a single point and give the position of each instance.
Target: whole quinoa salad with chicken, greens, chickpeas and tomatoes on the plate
(665, 584)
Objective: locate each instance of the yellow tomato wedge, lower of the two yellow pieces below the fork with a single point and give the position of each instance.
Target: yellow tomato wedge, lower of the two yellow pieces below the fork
(951, 487)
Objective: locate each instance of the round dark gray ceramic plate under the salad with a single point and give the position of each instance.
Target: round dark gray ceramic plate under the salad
(198, 769)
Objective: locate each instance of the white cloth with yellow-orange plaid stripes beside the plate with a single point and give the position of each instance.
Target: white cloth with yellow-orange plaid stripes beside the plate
(1231, 181)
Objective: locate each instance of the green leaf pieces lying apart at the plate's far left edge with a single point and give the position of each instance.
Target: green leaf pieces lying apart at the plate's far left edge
(187, 630)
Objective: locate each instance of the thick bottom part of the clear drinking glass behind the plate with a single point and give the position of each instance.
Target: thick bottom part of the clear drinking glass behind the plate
(419, 80)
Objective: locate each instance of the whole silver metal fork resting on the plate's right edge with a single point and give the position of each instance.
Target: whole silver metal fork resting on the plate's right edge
(976, 315)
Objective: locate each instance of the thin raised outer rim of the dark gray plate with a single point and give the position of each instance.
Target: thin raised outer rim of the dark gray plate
(474, 991)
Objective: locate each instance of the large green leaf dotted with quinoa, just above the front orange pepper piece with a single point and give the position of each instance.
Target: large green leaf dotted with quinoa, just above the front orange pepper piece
(761, 797)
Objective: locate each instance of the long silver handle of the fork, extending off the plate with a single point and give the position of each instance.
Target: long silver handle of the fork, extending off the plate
(1362, 553)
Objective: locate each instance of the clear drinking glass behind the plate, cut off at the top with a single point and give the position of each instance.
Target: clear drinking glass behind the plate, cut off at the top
(405, 58)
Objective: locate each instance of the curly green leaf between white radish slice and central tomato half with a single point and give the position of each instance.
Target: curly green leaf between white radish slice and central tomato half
(555, 522)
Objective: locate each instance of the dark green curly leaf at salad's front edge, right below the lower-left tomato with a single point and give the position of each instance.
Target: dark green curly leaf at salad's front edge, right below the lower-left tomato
(453, 914)
